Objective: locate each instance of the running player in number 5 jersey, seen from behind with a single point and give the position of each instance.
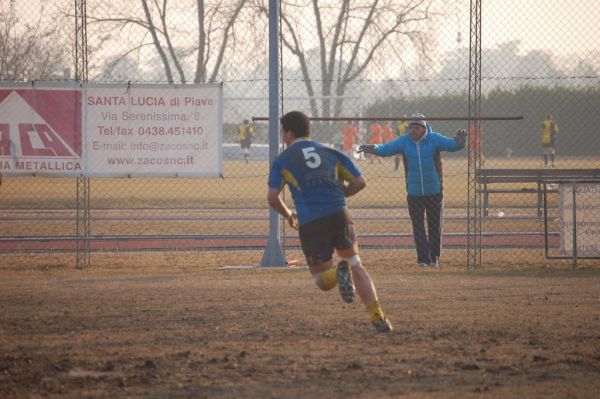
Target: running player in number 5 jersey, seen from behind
(320, 179)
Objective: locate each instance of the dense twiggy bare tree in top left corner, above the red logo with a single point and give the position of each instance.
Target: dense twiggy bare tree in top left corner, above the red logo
(30, 49)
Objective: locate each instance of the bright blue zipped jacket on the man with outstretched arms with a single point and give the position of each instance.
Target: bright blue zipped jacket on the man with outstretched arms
(422, 176)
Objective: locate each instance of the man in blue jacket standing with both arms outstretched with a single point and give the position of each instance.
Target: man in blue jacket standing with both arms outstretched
(420, 150)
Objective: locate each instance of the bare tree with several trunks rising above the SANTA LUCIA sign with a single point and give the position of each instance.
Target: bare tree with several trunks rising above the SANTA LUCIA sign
(179, 32)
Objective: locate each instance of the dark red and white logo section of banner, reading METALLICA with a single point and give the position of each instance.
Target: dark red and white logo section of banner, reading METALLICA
(41, 130)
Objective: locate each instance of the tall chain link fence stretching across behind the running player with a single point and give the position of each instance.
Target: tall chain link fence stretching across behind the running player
(339, 60)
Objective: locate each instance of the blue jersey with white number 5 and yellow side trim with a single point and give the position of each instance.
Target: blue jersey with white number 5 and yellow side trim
(314, 174)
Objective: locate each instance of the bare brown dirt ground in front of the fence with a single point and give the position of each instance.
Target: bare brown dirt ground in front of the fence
(176, 326)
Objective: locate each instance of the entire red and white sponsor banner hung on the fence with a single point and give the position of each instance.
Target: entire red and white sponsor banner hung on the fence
(111, 130)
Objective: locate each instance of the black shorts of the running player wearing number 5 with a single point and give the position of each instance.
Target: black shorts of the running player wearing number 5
(320, 237)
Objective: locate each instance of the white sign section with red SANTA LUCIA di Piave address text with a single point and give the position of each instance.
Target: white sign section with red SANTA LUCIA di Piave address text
(153, 130)
